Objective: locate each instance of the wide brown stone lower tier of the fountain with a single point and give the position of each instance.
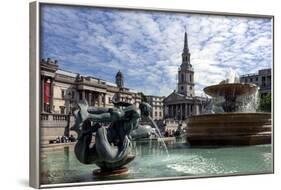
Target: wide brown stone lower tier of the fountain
(229, 129)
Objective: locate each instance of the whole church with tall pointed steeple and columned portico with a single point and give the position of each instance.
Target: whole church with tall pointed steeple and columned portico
(182, 103)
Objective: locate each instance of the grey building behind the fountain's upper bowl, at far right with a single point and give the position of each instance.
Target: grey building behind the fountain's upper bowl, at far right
(261, 79)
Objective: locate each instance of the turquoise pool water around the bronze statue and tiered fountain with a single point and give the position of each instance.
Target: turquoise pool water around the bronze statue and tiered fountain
(152, 162)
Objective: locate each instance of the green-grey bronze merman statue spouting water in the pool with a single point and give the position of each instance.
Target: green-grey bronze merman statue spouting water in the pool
(112, 145)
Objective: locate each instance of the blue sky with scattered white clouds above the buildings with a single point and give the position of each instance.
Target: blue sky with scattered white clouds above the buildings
(146, 46)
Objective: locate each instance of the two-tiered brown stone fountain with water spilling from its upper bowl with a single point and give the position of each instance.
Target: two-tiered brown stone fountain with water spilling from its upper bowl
(234, 120)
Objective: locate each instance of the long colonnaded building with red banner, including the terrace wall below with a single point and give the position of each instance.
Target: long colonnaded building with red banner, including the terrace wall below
(61, 90)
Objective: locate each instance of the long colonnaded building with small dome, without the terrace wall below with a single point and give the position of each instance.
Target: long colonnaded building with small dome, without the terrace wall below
(60, 89)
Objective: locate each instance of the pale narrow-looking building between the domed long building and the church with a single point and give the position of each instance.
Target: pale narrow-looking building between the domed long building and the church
(156, 103)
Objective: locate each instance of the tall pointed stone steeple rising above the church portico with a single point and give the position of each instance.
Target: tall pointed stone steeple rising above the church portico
(186, 73)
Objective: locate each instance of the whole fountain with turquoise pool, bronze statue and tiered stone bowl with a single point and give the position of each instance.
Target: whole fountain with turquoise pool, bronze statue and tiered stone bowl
(115, 154)
